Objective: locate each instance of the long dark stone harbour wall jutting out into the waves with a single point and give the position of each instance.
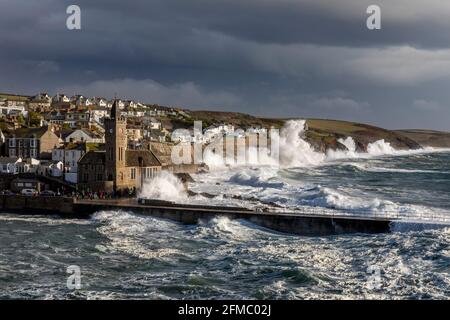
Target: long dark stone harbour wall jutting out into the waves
(293, 223)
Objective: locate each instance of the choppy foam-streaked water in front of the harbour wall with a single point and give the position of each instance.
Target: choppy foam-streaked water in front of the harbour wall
(127, 256)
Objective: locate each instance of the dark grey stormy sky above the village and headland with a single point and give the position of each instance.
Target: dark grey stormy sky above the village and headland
(283, 58)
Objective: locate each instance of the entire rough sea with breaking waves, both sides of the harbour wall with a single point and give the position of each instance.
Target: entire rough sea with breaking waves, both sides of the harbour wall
(123, 255)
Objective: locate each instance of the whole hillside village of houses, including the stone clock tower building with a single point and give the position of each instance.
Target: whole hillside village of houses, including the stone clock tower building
(56, 145)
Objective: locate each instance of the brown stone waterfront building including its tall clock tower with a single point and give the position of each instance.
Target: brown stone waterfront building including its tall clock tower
(117, 168)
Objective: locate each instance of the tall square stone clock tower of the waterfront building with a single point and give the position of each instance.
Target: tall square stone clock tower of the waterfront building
(116, 146)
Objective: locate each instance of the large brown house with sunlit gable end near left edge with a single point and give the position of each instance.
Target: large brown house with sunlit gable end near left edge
(31, 143)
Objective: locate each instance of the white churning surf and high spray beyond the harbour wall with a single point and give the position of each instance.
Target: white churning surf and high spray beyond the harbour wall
(304, 178)
